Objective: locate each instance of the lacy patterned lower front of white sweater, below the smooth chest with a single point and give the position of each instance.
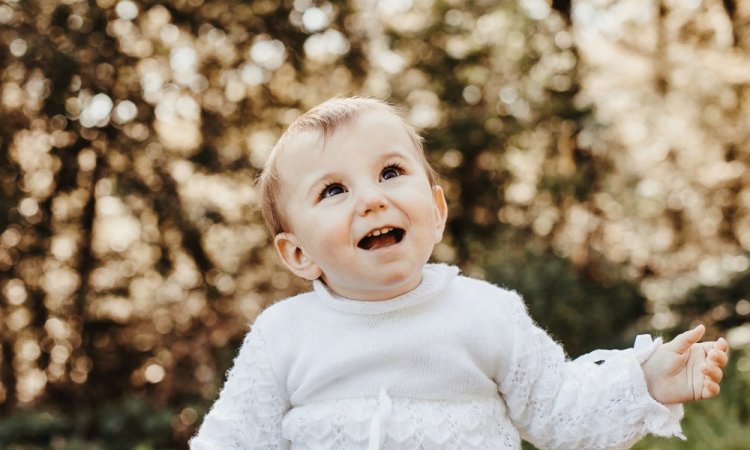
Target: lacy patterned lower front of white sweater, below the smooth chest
(412, 424)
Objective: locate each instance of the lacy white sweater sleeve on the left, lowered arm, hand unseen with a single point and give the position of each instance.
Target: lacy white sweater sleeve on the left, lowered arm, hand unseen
(251, 405)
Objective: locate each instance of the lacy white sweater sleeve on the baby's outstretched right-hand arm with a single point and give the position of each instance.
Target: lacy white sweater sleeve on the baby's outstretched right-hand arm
(582, 404)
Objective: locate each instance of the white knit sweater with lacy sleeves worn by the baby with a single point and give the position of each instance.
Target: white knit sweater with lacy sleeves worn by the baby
(454, 364)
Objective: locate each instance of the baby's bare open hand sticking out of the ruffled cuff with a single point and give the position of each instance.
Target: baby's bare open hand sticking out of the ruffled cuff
(683, 369)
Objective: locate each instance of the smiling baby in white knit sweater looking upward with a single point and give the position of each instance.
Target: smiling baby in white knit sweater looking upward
(388, 351)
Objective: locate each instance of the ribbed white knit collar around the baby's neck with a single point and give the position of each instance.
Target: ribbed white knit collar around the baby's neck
(435, 278)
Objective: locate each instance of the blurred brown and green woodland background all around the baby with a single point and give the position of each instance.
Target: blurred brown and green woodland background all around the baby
(594, 155)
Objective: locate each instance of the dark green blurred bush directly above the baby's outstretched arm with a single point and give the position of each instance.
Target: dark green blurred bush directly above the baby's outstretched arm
(583, 310)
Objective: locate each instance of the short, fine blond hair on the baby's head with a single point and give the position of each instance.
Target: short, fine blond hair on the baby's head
(325, 118)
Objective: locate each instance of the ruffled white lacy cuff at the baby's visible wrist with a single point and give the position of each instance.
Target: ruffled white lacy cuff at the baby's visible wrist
(659, 419)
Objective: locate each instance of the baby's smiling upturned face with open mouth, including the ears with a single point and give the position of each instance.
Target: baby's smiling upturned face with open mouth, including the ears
(361, 210)
